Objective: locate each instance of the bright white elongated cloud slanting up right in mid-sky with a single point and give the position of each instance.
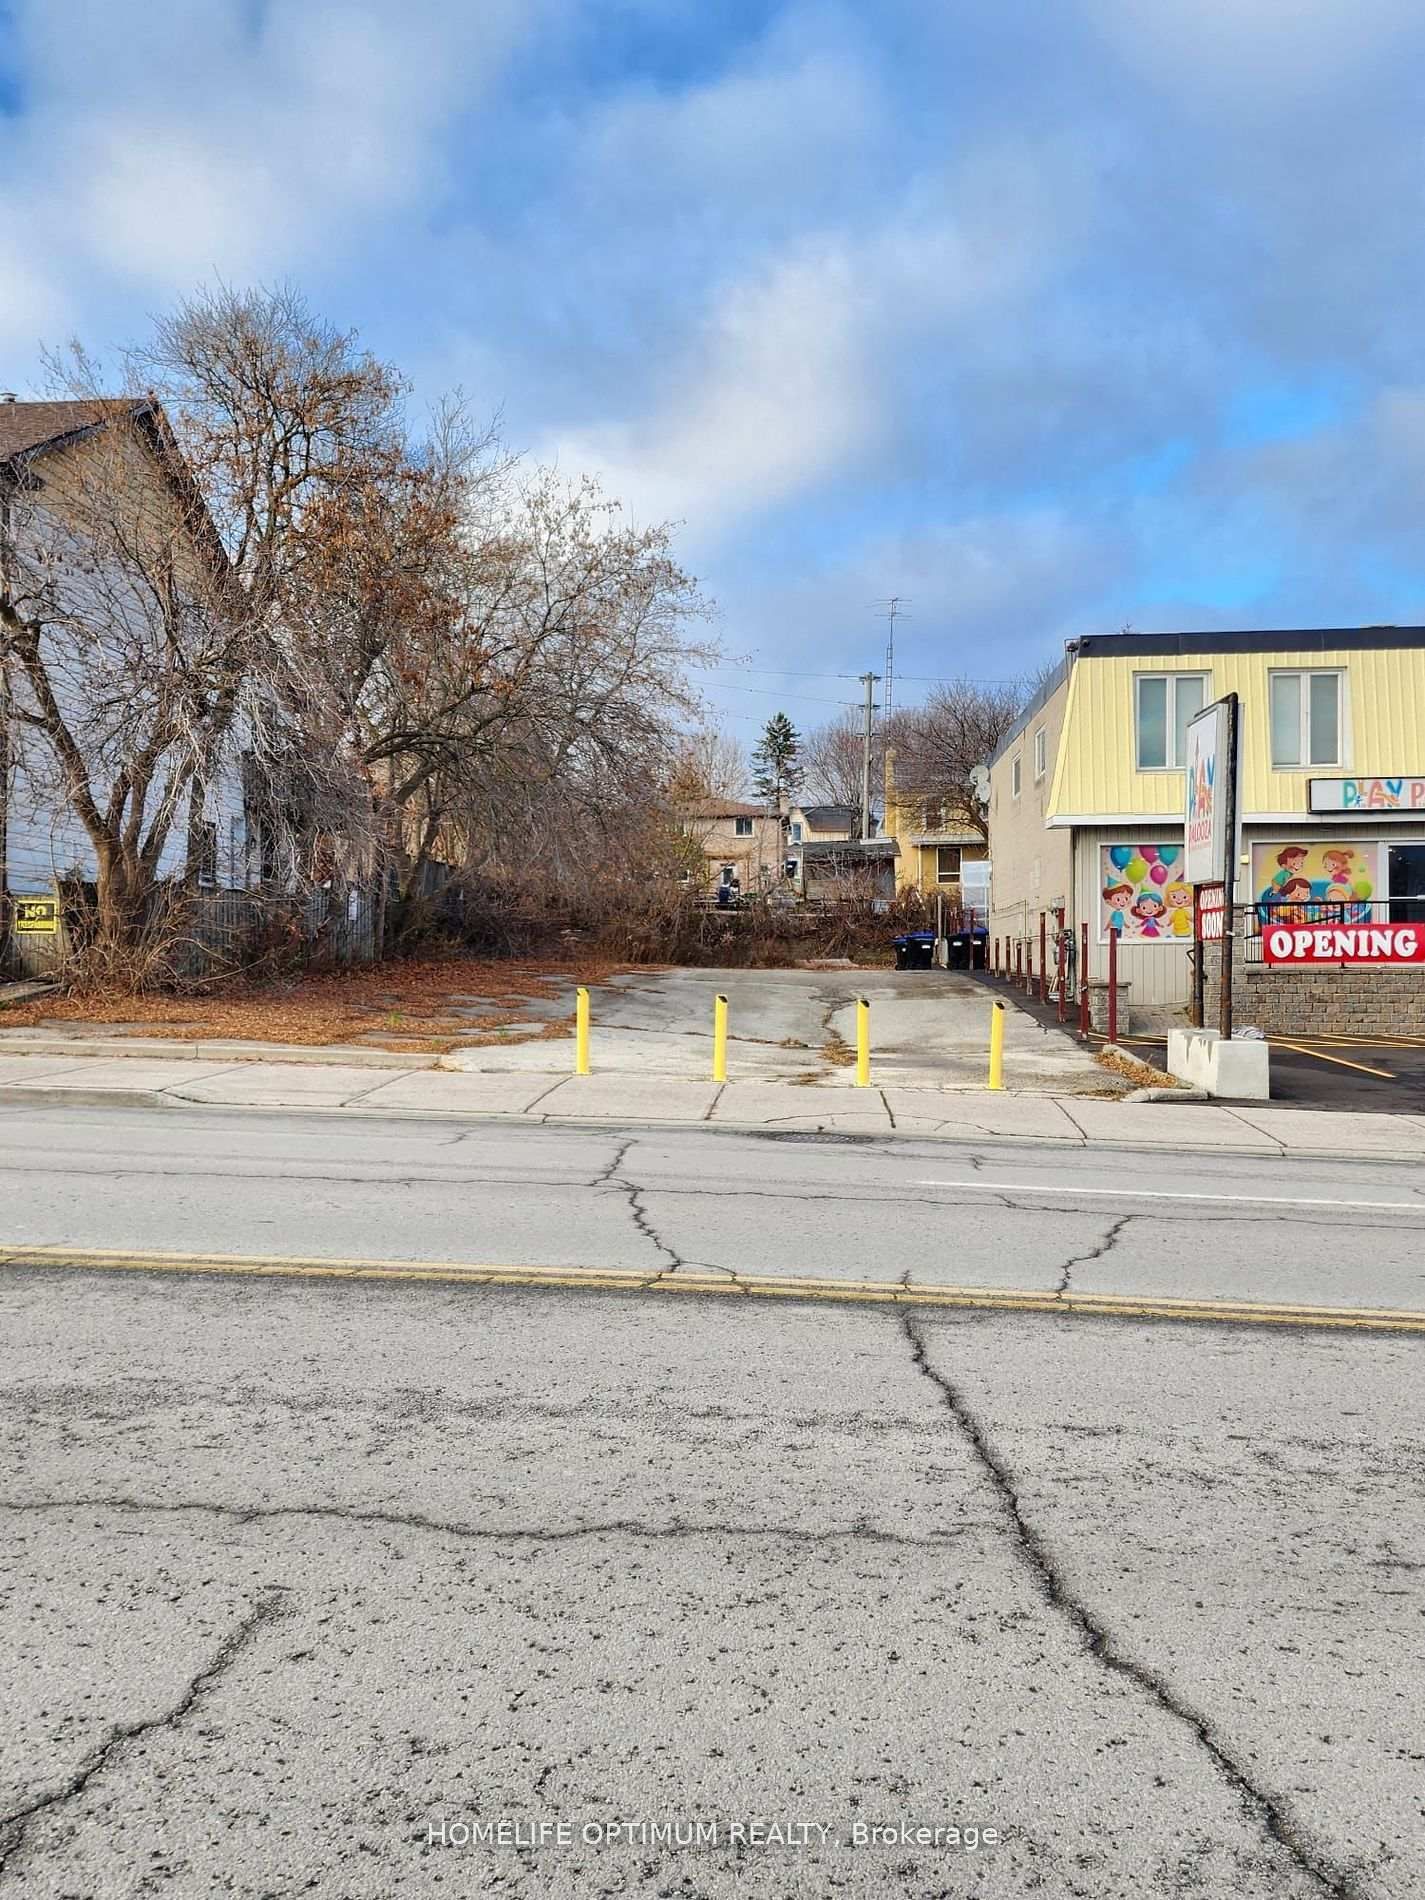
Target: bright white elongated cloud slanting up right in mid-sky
(797, 375)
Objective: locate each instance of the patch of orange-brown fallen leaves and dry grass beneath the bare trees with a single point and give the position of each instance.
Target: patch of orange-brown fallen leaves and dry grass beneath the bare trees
(396, 1006)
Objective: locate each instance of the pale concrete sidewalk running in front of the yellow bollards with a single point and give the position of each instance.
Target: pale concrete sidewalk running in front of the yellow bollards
(398, 1088)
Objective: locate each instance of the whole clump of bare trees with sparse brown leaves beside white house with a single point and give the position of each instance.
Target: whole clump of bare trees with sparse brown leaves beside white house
(396, 649)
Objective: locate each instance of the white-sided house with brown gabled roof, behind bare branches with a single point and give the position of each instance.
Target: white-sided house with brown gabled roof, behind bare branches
(50, 457)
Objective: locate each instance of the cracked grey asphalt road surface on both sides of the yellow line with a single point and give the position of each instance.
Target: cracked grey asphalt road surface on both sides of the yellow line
(299, 1574)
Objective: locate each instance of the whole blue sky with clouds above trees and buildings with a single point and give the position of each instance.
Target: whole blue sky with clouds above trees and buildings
(1048, 316)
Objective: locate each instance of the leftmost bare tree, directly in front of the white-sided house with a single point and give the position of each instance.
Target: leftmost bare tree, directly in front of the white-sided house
(124, 653)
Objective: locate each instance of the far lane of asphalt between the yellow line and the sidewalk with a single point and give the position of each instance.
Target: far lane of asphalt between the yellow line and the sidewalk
(1010, 1217)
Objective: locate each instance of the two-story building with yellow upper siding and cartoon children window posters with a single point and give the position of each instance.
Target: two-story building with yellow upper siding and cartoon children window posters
(1088, 805)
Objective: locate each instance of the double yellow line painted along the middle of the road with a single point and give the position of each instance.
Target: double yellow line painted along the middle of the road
(757, 1287)
